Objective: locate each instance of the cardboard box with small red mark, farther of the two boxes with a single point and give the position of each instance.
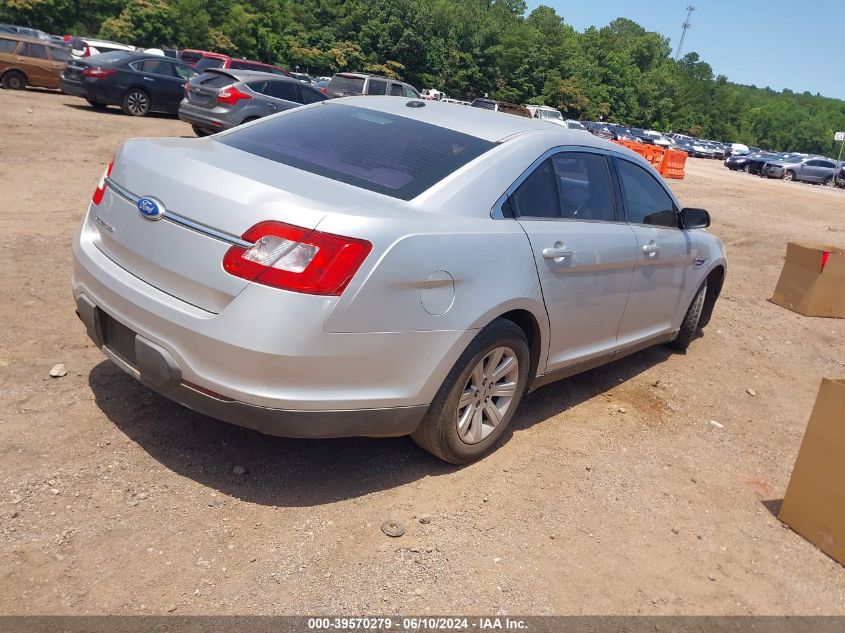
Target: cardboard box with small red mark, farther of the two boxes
(812, 281)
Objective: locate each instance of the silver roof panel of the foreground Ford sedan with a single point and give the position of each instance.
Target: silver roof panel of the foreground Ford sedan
(485, 124)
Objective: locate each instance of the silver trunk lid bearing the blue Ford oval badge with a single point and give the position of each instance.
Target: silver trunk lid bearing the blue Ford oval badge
(211, 194)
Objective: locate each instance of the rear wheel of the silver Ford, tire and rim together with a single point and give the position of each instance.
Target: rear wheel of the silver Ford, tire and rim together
(477, 401)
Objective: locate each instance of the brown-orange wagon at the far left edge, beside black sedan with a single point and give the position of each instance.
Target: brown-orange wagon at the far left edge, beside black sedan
(27, 61)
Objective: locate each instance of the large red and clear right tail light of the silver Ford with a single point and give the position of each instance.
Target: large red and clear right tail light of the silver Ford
(297, 259)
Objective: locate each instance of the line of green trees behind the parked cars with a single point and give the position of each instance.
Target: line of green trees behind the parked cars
(467, 48)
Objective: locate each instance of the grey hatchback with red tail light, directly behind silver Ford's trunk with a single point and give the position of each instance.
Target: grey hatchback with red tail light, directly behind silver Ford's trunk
(221, 99)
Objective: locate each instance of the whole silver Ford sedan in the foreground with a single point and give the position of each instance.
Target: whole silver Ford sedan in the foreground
(385, 266)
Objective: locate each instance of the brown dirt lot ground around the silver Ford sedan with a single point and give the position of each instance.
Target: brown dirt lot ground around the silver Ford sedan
(614, 493)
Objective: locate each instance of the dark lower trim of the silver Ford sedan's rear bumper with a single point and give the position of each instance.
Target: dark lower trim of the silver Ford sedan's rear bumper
(155, 367)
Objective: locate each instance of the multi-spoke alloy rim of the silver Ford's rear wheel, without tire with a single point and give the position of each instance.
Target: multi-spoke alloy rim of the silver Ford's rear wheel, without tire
(487, 395)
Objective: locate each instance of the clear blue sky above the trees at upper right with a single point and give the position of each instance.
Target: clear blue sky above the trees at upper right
(780, 43)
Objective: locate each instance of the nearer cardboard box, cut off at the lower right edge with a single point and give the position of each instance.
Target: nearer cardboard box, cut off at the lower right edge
(814, 504)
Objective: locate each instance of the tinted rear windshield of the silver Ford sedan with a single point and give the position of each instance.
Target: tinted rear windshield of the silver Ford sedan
(389, 154)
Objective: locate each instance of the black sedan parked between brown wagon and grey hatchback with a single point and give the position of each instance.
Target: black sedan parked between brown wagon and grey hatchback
(139, 83)
